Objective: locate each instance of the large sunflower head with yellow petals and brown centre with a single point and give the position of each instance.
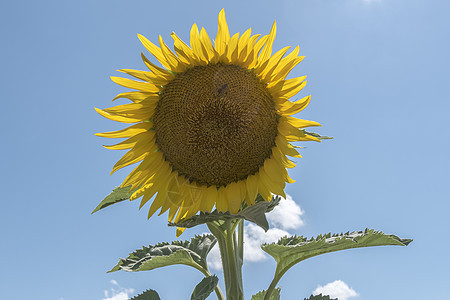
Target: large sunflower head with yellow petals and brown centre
(213, 125)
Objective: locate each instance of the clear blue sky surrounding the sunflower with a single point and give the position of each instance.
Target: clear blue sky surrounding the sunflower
(378, 74)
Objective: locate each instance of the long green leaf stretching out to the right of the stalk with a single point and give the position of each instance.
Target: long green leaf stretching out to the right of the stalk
(289, 251)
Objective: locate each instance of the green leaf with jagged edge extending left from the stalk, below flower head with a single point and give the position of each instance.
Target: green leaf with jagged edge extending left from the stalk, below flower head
(191, 253)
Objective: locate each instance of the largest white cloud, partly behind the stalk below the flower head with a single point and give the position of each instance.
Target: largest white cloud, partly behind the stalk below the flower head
(287, 215)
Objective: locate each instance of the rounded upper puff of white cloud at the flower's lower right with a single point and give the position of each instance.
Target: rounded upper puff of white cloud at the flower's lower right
(287, 215)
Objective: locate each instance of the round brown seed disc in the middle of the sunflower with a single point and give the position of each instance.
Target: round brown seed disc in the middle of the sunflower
(216, 124)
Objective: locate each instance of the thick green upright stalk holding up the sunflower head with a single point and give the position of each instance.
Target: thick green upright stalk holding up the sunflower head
(230, 247)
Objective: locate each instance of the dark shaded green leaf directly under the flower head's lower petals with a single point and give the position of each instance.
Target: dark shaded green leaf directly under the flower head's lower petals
(255, 213)
